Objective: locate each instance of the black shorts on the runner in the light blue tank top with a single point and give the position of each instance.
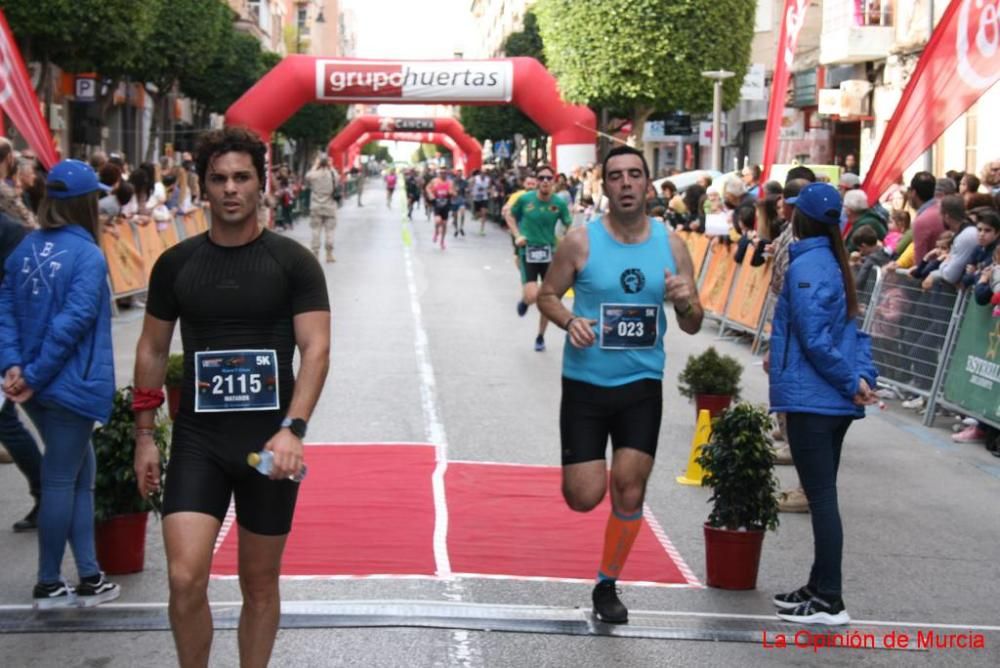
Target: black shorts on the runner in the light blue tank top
(630, 414)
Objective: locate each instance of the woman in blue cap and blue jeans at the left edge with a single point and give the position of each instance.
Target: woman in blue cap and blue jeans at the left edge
(57, 362)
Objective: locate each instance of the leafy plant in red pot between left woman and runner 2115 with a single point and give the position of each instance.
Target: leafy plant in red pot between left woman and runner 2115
(119, 512)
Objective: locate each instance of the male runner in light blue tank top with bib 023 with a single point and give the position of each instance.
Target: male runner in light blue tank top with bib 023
(623, 269)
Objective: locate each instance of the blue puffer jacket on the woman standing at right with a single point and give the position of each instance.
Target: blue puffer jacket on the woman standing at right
(818, 356)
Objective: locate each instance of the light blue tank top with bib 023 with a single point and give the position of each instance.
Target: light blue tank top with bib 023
(621, 287)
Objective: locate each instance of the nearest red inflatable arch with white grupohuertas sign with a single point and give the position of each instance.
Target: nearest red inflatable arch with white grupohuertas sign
(523, 82)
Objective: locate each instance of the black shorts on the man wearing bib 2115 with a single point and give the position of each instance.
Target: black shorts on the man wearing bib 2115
(205, 471)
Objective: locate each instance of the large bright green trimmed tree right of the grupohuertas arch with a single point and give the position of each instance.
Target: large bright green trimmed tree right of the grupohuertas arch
(640, 56)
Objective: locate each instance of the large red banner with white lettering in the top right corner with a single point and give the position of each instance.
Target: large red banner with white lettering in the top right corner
(960, 63)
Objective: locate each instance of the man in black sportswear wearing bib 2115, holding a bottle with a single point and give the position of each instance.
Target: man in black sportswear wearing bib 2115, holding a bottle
(246, 298)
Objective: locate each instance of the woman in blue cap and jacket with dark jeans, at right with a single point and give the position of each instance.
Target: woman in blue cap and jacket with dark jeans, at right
(822, 376)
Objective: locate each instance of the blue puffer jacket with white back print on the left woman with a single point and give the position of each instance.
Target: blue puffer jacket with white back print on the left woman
(55, 320)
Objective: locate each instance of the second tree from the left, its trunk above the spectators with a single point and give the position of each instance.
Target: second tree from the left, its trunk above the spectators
(183, 43)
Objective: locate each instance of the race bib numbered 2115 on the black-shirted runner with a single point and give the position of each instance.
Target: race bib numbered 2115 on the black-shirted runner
(236, 380)
